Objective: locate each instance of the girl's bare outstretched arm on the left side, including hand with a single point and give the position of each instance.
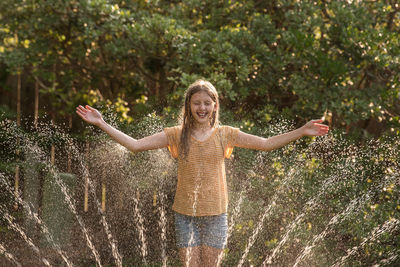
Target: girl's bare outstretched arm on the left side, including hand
(93, 116)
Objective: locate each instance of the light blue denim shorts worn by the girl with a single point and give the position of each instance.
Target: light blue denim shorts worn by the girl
(193, 231)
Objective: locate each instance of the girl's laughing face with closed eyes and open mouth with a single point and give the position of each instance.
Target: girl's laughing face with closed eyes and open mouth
(202, 108)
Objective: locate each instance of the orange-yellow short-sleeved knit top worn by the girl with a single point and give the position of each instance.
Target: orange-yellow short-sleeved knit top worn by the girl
(201, 189)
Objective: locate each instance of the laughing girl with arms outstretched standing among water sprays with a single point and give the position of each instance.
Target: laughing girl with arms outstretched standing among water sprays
(200, 145)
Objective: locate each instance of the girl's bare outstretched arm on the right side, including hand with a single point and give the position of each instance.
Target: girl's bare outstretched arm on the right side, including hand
(312, 128)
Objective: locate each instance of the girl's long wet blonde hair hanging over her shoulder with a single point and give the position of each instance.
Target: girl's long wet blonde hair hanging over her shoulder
(187, 116)
